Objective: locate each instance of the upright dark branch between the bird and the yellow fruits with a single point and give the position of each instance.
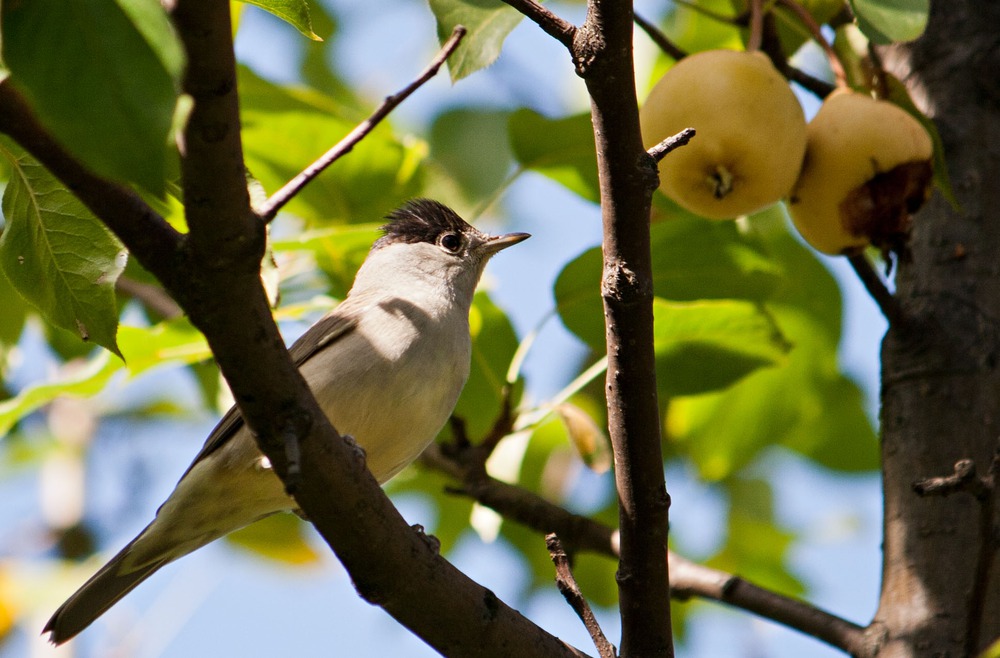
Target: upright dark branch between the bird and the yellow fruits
(603, 53)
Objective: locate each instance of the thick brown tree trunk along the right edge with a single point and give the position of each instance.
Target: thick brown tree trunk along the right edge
(940, 378)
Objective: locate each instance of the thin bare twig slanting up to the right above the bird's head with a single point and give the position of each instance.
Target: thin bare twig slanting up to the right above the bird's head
(270, 208)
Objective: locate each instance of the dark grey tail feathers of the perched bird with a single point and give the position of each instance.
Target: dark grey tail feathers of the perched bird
(98, 594)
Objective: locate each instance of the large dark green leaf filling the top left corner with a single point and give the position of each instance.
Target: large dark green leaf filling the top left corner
(102, 76)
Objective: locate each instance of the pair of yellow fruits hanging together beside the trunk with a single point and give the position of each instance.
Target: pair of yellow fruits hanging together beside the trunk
(851, 177)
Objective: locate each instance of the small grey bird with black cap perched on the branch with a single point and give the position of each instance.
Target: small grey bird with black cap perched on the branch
(386, 365)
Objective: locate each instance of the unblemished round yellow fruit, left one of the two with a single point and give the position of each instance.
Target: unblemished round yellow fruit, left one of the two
(751, 133)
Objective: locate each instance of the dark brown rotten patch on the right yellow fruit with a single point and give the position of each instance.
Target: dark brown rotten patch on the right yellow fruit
(881, 208)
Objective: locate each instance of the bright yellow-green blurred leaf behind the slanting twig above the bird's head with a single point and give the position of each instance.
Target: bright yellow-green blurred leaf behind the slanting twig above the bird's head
(285, 129)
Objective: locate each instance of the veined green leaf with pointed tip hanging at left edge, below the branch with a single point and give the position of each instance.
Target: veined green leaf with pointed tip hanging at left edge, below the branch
(58, 256)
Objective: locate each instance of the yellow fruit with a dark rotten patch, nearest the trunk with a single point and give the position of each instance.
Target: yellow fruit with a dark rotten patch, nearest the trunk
(867, 168)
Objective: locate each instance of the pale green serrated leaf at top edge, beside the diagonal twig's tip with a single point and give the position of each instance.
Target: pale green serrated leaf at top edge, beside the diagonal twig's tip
(488, 23)
